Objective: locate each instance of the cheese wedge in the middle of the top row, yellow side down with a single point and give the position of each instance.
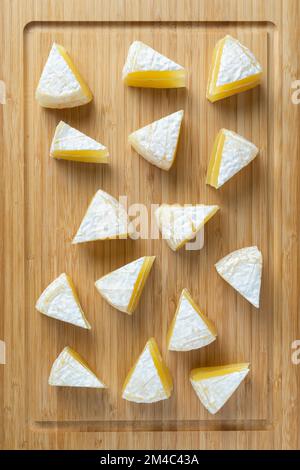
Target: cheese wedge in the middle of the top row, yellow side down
(145, 67)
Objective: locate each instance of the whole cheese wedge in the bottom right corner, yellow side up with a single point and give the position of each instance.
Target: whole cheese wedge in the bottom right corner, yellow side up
(215, 385)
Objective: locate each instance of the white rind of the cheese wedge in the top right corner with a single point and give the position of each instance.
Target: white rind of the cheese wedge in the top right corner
(237, 62)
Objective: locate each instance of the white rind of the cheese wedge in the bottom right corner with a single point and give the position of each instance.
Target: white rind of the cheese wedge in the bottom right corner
(214, 392)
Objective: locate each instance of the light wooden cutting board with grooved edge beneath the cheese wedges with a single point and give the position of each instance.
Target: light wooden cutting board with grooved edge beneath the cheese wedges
(43, 202)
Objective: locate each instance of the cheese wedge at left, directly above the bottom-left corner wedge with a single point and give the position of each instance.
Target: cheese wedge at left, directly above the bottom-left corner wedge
(59, 300)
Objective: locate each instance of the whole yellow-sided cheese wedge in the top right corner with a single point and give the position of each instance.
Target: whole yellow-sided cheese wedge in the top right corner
(234, 69)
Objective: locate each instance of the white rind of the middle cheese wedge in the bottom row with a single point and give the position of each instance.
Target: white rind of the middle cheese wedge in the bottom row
(144, 385)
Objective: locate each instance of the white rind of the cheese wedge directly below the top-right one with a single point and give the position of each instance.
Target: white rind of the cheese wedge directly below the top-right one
(237, 153)
